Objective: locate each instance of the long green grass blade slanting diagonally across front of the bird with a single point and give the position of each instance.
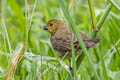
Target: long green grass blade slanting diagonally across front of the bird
(73, 26)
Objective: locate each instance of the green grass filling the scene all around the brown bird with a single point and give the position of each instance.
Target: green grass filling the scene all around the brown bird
(21, 24)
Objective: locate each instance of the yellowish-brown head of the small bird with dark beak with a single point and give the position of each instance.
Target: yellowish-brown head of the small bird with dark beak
(53, 25)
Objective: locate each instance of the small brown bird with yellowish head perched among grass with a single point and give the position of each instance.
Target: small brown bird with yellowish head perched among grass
(60, 38)
